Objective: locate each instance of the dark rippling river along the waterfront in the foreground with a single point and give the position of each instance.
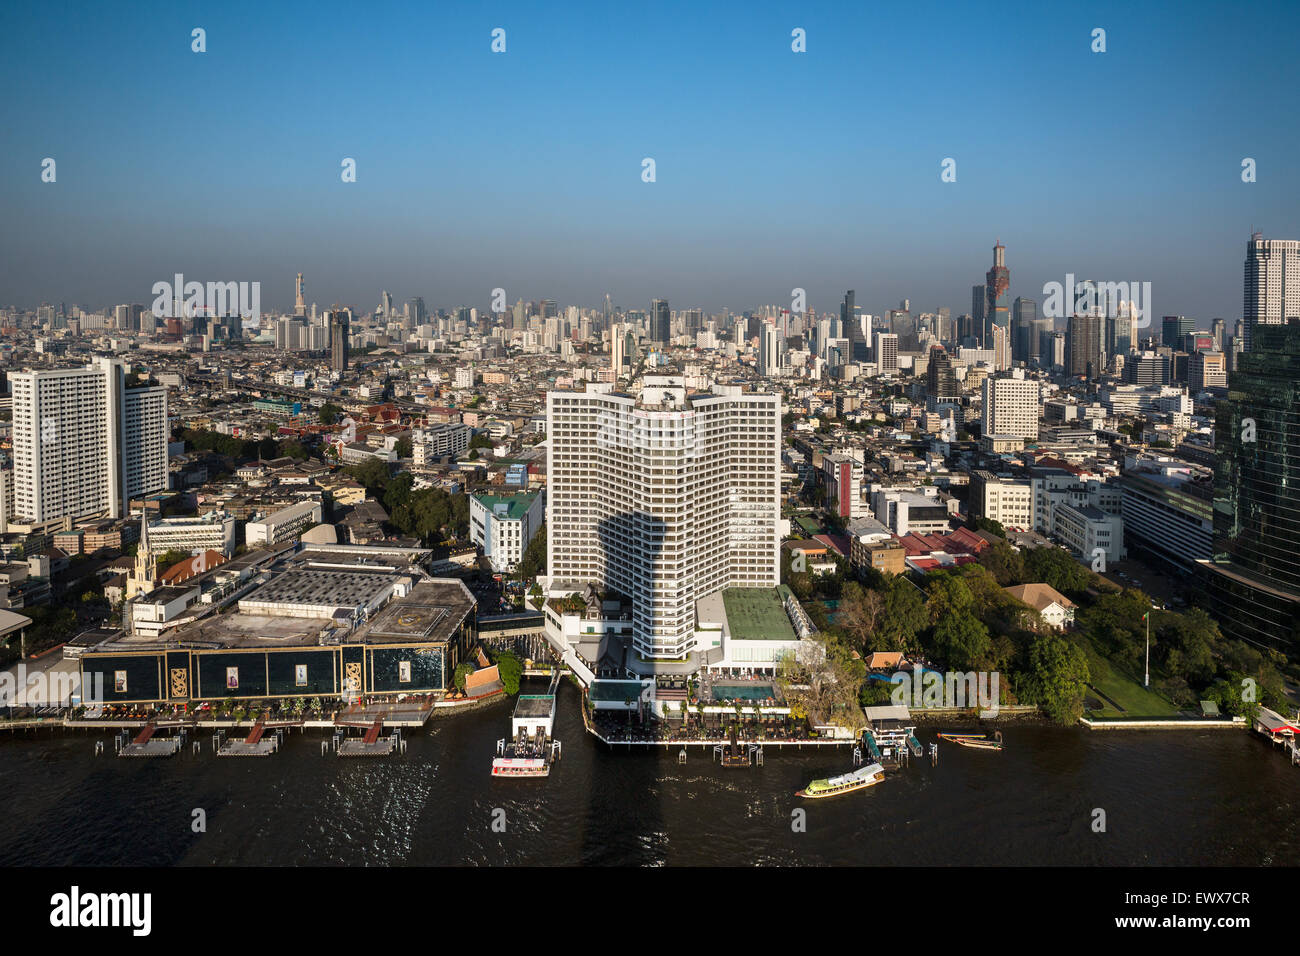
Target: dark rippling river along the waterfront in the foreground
(1211, 798)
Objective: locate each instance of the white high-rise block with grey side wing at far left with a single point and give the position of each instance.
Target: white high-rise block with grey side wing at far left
(84, 444)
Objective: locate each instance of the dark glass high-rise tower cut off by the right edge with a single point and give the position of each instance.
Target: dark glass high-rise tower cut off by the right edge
(1254, 582)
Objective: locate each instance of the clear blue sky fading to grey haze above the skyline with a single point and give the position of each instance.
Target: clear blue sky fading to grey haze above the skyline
(523, 170)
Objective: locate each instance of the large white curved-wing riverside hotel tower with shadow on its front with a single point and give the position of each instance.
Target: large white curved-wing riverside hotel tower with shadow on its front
(665, 499)
